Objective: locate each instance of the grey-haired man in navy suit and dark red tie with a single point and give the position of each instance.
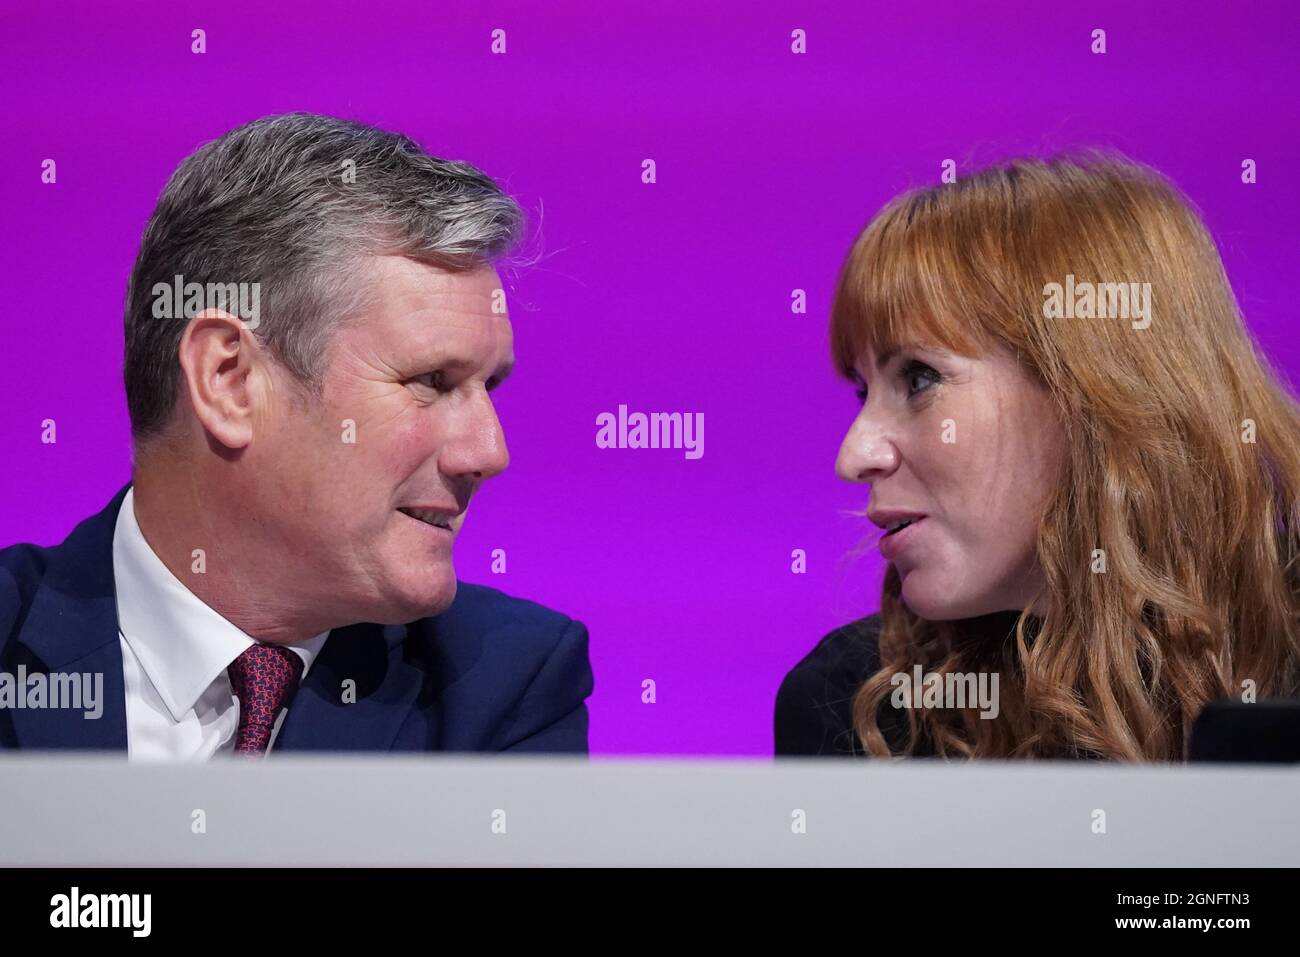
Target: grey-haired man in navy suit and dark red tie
(314, 330)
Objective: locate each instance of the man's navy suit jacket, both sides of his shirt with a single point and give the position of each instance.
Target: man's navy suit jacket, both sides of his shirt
(491, 674)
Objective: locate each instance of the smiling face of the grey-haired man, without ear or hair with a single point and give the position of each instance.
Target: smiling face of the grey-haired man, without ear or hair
(402, 438)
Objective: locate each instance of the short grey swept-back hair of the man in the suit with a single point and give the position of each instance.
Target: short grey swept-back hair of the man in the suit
(294, 202)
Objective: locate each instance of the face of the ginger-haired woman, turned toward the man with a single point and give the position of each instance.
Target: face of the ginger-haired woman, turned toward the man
(974, 447)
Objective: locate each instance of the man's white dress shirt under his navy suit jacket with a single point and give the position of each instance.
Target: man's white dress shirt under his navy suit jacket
(180, 705)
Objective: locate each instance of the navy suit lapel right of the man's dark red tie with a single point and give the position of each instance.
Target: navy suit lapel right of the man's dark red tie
(384, 688)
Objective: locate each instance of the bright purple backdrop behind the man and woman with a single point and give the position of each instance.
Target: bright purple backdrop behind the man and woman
(673, 297)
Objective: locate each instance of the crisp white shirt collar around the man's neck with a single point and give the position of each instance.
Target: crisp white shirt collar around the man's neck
(183, 646)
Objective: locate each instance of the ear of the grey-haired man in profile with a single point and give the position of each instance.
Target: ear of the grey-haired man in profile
(226, 374)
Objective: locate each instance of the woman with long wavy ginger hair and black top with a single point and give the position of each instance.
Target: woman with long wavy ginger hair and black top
(1102, 480)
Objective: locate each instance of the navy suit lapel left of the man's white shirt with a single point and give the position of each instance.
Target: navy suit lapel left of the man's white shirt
(72, 629)
